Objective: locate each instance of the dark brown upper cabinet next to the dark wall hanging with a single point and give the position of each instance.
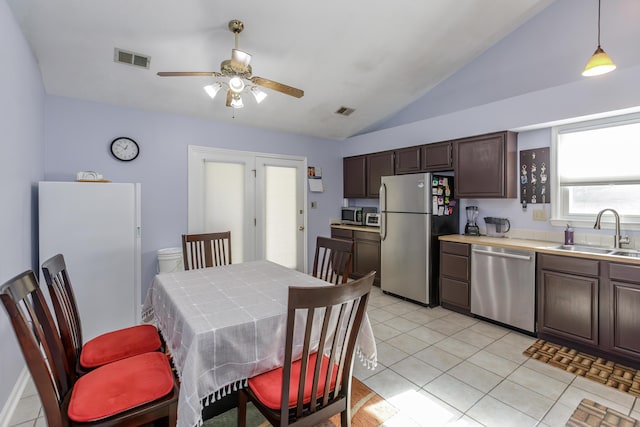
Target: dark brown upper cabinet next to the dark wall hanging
(485, 166)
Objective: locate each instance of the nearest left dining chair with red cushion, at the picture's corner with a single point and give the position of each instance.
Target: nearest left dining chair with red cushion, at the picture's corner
(134, 391)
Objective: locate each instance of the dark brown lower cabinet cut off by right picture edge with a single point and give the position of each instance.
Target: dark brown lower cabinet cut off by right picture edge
(625, 309)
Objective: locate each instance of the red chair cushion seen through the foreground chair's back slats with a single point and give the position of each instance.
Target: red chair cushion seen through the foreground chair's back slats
(268, 386)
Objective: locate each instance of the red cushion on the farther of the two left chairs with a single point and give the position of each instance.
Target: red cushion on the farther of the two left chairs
(119, 345)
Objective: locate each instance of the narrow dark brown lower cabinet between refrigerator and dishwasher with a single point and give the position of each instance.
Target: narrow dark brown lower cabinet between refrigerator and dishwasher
(455, 276)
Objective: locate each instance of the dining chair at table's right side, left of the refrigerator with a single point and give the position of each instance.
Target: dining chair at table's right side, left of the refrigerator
(332, 261)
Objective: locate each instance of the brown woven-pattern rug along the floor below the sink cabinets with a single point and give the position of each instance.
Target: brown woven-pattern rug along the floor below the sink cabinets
(605, 372)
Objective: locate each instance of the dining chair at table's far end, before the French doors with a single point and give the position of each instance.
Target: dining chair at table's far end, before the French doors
(206, 250)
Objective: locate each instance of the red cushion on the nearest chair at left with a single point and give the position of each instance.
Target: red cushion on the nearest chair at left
(120, 386)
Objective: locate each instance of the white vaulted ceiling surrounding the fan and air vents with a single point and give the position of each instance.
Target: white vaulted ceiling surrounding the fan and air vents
(374, 58)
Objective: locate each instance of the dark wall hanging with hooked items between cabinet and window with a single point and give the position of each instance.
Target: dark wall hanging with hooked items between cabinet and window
(534, 176)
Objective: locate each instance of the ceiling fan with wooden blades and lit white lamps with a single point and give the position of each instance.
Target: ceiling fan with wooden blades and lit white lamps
(238, 72)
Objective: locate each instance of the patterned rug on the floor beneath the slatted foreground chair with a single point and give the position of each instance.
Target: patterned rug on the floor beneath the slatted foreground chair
(368, 409)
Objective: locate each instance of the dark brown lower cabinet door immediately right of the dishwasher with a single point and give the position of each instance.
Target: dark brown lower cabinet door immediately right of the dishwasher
(569, 306)
